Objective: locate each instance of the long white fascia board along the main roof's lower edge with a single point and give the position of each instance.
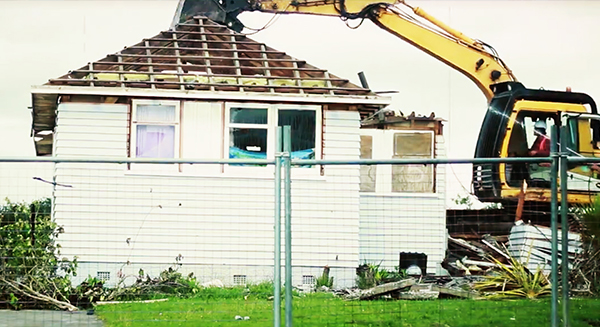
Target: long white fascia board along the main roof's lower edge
(212, 95)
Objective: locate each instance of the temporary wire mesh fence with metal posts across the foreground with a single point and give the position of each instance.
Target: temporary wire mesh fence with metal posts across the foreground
(358, 242)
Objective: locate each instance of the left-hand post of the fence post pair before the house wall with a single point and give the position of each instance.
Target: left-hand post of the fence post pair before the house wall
(277, 222)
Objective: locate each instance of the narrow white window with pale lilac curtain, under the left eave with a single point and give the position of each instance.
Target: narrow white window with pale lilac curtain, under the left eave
(155, 129)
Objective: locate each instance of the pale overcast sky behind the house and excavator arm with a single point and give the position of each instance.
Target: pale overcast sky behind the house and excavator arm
(549, 44)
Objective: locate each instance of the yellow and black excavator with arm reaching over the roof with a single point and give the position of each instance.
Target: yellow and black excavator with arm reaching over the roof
(515, 116)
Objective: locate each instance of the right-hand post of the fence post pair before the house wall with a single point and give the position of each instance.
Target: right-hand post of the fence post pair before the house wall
(287, 165)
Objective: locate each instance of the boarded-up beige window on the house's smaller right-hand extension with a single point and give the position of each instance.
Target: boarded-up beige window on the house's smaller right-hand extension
(395, 144)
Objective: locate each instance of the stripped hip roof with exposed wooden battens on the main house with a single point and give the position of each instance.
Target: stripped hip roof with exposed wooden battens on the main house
(197, 59)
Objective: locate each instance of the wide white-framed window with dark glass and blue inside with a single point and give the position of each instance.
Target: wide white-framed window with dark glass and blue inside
(251, 130)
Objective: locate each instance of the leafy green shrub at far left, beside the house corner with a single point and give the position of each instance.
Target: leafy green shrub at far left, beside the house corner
(30, 257)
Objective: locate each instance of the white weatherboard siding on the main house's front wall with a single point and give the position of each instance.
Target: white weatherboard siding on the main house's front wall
(115, 216)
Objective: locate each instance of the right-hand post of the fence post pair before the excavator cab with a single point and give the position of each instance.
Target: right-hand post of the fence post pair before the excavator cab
(564, 206)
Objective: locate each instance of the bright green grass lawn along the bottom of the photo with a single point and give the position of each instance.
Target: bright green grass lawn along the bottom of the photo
(326, 310)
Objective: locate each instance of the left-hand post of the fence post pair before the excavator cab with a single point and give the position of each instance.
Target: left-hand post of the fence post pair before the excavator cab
(553, 223)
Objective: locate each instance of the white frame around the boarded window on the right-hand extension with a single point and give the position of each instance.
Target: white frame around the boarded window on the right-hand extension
(383, 149)
